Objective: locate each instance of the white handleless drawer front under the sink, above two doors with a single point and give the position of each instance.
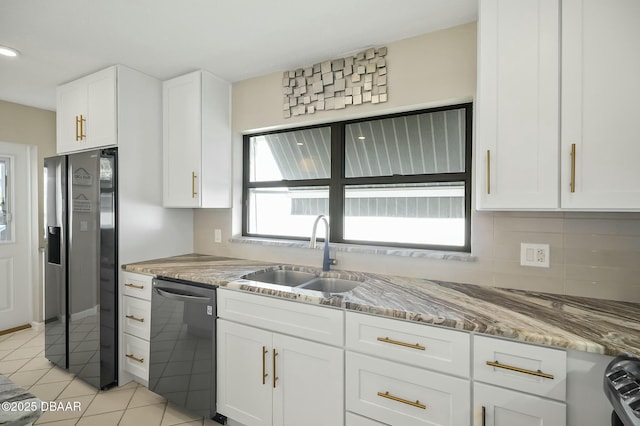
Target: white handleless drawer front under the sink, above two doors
(297, 319)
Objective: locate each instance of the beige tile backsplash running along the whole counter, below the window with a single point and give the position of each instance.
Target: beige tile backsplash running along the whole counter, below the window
(591, 254)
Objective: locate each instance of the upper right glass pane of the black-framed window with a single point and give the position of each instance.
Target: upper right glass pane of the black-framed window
(415, 144)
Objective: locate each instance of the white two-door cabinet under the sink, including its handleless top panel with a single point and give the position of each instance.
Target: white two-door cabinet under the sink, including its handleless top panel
(269, 378)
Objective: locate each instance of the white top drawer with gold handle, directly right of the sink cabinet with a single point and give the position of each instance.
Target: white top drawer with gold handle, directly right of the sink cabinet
(421, 345)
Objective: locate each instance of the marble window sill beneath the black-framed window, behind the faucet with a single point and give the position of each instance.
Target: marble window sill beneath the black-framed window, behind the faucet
(351, 248)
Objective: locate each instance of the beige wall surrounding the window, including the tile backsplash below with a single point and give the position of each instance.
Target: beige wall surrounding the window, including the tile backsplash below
(592, 254)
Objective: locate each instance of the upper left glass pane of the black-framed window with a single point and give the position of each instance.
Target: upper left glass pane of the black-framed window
(299, 154)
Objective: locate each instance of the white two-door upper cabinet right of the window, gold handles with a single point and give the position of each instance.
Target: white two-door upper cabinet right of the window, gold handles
(534, 135)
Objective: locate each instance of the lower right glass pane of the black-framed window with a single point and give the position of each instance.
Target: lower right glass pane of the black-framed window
(425, 213)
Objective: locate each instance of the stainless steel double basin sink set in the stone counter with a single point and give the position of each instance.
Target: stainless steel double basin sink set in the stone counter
(303, 280)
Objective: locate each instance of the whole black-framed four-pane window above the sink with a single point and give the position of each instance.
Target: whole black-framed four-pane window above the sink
(401, 180)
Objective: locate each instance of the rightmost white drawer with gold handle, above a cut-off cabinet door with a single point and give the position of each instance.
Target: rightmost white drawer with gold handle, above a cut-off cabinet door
(527, 368)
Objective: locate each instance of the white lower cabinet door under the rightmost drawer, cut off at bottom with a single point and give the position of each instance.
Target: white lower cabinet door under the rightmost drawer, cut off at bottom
(502, 407)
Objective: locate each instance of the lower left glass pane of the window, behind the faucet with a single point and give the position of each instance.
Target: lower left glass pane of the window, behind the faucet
(286, 211)
